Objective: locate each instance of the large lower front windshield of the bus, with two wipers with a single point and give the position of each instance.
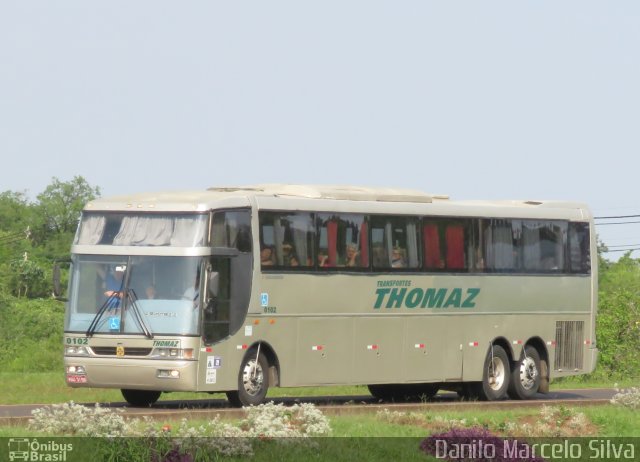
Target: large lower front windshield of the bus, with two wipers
(147, 295)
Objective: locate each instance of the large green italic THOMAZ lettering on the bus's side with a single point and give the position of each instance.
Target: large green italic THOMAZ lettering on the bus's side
(425, 298)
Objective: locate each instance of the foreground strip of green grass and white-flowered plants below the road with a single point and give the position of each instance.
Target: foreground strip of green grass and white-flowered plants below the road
(303, 432)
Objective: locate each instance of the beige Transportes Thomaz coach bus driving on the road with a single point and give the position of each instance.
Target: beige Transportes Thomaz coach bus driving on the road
(240, 289)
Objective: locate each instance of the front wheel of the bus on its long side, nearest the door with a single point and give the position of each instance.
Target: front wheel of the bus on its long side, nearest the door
(253, 381)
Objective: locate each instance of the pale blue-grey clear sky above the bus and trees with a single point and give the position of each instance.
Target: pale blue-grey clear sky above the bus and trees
(475, 99)
